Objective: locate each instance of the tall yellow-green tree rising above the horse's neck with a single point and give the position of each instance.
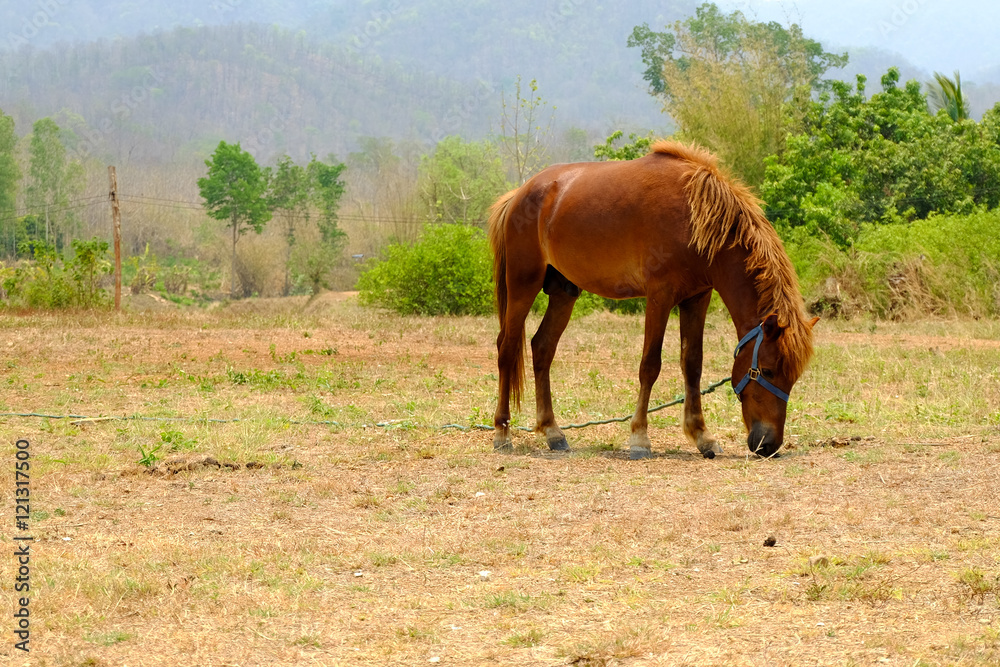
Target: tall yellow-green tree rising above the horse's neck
(731, 84)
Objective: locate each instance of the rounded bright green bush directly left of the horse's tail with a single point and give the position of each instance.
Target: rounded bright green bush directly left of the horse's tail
(448, 271)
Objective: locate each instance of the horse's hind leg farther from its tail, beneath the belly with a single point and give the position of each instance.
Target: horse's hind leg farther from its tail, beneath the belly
(543, 350)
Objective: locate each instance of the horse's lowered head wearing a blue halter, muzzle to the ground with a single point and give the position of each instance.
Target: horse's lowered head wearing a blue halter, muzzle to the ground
(762, 380)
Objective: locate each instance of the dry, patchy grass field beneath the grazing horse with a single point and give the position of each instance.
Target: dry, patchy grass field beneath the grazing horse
(336, 523)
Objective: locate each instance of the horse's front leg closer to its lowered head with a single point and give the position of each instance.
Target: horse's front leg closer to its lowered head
(692, 326)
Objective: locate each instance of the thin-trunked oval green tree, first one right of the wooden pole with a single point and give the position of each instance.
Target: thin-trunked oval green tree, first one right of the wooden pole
(235, 191)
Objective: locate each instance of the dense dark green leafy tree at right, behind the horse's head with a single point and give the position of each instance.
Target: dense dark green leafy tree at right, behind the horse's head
(880, 160)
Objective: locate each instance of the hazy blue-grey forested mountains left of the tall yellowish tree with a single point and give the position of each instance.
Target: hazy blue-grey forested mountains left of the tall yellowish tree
(377, 69)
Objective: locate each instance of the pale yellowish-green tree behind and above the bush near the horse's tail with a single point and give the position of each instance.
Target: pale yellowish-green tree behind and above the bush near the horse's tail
(460, 180)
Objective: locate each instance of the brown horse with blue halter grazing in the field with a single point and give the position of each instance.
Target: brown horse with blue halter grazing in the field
(671, 227)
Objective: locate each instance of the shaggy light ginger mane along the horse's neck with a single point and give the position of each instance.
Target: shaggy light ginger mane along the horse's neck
(722, 206)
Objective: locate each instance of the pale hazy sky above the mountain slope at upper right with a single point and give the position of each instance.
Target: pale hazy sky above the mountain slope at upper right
(934, 35)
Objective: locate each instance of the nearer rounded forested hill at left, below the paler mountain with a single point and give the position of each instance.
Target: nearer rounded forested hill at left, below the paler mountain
(161, 96)
